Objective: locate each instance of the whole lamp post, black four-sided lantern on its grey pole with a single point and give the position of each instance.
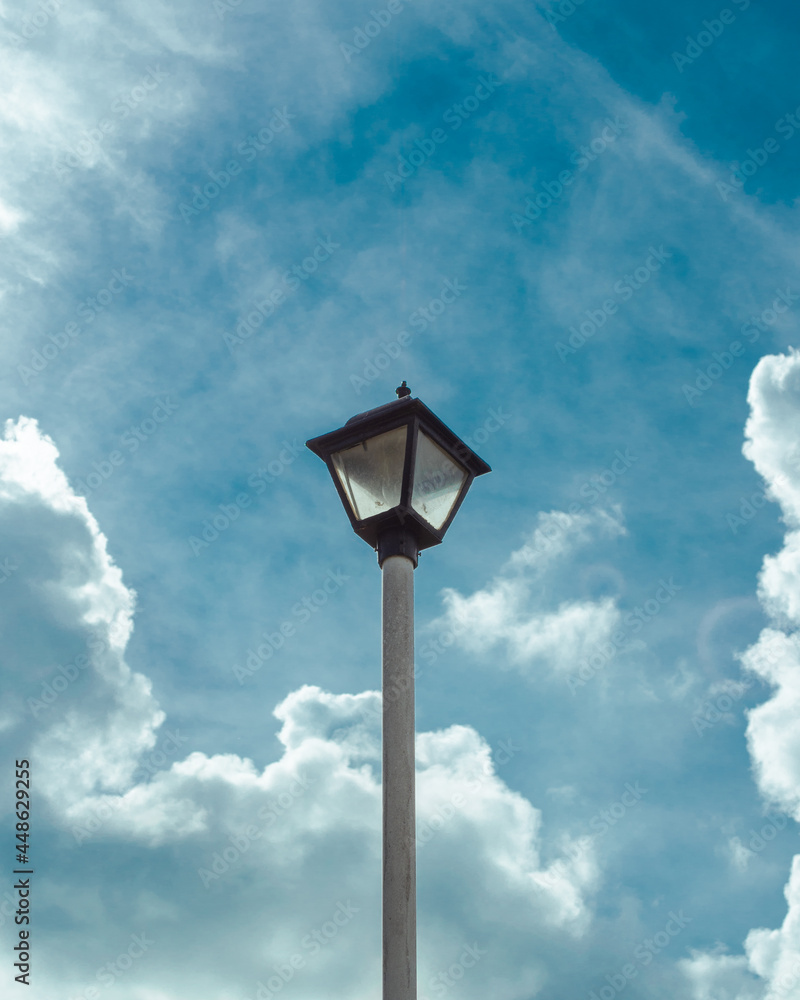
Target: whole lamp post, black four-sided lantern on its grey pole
(401, 475)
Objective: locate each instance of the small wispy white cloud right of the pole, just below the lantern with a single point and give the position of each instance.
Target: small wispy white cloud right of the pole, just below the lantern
(512, 610)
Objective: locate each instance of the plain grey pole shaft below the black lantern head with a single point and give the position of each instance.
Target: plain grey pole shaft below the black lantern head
(399, 832)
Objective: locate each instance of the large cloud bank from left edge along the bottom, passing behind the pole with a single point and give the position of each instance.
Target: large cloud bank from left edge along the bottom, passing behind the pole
(298, 839)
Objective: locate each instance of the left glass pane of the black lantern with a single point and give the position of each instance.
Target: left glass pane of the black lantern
(371, 473)
